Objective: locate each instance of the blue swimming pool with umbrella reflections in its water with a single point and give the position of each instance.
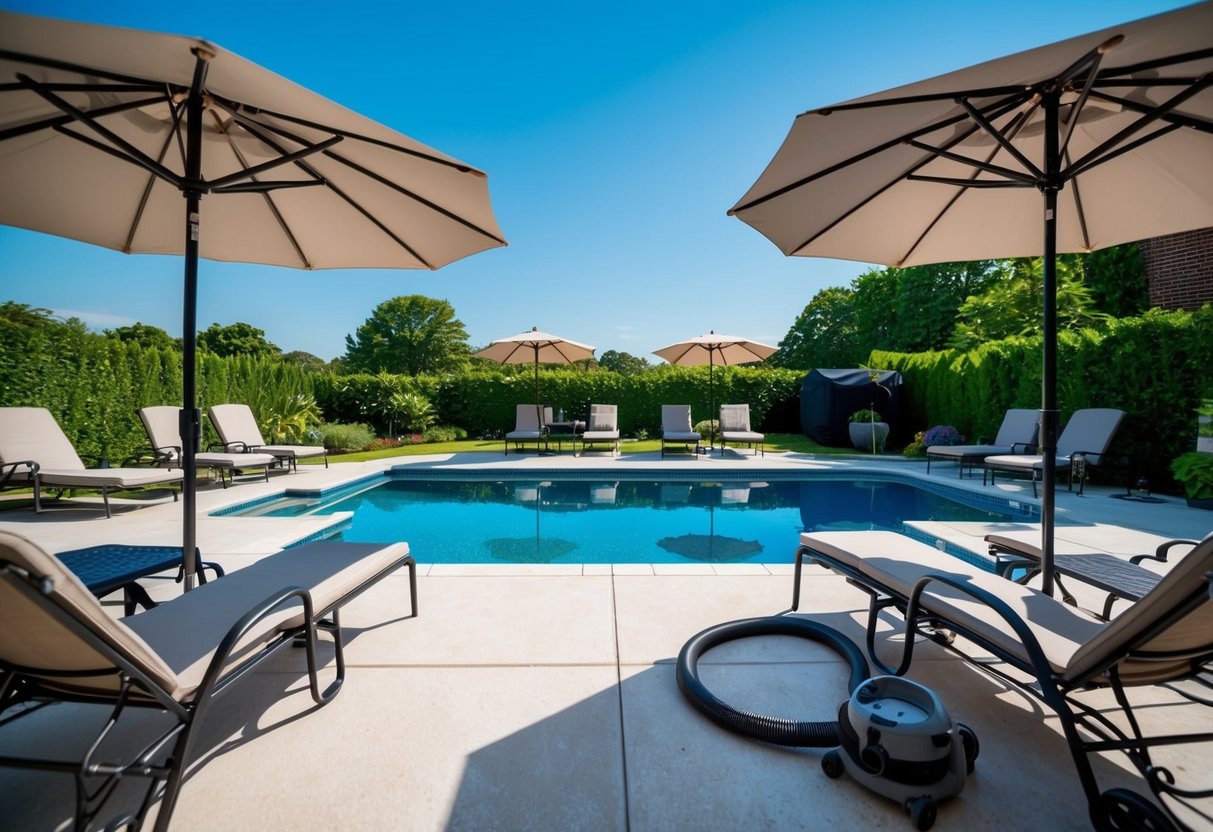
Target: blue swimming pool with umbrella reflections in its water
(489, 520)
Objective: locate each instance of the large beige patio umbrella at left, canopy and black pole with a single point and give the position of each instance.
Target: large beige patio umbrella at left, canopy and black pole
(121, 138)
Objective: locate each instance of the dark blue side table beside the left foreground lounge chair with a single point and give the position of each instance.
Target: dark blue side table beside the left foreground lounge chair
(104, 569)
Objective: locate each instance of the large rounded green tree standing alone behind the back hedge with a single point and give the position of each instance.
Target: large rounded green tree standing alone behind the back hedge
(412, 335)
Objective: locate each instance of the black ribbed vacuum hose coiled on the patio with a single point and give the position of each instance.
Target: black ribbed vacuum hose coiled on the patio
(756, 726)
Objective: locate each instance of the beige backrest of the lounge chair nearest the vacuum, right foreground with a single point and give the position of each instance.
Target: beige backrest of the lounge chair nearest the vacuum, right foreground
(1165, 636)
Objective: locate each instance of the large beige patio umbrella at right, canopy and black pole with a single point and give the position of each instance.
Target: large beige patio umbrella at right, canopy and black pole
(1090, 143)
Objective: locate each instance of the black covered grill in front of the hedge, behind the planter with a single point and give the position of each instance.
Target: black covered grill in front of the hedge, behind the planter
(830, 397)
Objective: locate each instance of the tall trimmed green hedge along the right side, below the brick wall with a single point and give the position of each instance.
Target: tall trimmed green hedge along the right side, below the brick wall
(1155, 368)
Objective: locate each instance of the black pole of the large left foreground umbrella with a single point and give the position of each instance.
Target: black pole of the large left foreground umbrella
(191, 419)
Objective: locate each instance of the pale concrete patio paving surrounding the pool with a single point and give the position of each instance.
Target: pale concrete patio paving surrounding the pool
(544, 697)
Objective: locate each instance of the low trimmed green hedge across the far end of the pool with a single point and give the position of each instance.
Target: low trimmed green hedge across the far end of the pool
(483, 403)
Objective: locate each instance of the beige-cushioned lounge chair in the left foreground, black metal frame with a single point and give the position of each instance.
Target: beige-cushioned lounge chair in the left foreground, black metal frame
(58, 645)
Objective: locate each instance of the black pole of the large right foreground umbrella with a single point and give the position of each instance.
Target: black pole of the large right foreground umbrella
(1051, 187)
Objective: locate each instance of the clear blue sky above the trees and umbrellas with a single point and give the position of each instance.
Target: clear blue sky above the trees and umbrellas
(616, 136)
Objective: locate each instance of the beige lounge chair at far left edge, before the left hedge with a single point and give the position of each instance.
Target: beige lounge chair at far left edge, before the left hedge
(35, 452)
